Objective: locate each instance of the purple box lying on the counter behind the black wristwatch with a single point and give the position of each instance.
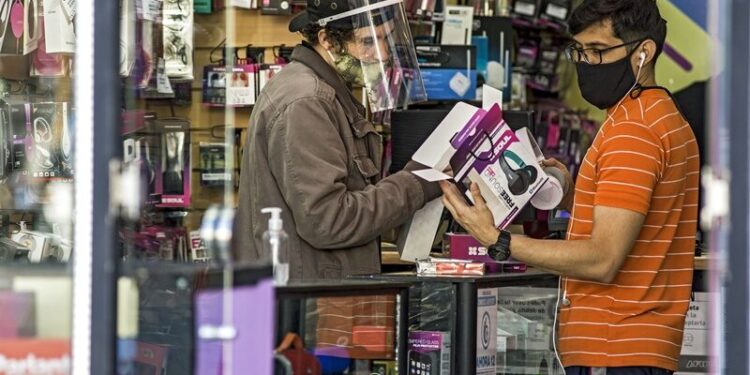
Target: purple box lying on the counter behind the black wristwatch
(464, 246)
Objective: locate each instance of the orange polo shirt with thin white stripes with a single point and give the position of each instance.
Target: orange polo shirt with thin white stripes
(645, 159)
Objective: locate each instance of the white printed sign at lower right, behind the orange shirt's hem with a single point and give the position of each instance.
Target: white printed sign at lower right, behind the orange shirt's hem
(694, 358)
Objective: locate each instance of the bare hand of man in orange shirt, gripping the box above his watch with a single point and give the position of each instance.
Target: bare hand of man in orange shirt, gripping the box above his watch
(477, 219)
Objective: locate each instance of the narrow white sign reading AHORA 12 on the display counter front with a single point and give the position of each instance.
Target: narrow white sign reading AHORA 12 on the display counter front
(486, 331)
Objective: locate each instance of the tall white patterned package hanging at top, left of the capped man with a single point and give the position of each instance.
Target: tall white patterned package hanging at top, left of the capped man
(177, 21)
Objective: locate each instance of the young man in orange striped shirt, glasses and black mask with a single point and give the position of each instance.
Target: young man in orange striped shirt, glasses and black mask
(627, 262)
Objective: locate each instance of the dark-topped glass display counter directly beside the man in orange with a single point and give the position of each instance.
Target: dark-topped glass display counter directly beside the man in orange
(497, 323)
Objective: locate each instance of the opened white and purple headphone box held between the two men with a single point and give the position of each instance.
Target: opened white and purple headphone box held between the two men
(479, 147)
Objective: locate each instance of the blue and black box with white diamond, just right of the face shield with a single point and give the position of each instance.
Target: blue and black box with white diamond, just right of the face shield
(448, 71)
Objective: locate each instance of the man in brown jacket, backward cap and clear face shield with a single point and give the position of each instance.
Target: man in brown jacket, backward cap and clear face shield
(312, 152)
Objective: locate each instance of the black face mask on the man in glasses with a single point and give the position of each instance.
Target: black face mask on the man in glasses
(603, 85)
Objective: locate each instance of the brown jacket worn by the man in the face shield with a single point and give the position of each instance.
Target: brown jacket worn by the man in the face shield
(312, 153)
